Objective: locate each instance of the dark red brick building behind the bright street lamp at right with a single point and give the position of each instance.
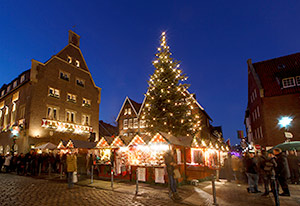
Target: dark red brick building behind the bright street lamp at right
(273, 92)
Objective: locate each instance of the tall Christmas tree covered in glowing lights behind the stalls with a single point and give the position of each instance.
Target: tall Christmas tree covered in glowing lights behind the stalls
(168, 105)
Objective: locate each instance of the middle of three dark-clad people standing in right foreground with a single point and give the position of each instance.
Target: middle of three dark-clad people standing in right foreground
(268, 165)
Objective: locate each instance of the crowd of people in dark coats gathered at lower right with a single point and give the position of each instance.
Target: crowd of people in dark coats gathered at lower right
(274, 169)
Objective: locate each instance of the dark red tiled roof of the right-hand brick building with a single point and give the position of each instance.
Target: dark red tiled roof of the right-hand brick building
(272, 71)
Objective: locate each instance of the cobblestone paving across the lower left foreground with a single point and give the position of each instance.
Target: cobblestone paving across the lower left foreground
(19, 190)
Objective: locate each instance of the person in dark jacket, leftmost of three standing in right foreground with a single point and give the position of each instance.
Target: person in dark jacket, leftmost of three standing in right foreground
(252, 172)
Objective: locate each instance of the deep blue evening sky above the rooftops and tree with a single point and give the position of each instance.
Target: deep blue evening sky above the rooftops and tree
(212, 39)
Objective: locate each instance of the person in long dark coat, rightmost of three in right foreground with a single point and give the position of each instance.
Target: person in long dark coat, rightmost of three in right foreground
(282, 171)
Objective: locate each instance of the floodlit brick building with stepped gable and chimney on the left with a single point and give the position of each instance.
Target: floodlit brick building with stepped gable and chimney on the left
(51, 101)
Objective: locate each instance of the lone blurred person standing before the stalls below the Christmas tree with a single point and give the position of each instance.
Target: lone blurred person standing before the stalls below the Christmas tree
(170, 164)
